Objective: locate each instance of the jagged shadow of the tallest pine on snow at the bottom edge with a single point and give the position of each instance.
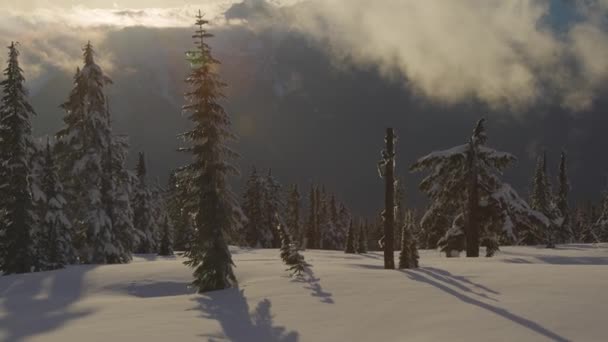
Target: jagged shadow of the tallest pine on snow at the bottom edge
(229, 307)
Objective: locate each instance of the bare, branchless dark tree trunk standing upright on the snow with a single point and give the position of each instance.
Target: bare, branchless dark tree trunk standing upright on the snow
(389, 200)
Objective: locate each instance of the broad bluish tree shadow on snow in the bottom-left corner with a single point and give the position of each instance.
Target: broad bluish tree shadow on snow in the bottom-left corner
(38, 303)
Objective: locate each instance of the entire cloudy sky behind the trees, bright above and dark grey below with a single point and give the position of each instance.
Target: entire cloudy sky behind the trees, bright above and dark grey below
(524, 63)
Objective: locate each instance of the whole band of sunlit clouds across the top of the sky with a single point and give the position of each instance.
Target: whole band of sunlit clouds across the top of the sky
(505, 53)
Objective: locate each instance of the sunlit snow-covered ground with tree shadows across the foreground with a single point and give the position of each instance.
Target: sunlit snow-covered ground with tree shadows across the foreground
(522, 294)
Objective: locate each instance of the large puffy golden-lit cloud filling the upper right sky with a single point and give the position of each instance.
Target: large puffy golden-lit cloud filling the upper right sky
(502, 52)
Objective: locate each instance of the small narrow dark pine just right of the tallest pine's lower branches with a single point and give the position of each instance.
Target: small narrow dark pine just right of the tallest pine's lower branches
(252, 208)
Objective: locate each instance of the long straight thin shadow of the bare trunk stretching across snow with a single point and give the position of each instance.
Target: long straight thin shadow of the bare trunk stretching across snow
(424, 277)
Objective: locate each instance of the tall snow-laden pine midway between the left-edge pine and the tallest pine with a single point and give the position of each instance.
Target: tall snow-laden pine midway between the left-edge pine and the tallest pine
(84, 147)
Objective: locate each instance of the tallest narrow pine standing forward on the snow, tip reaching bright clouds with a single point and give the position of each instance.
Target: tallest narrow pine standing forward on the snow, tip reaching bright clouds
(216, 210)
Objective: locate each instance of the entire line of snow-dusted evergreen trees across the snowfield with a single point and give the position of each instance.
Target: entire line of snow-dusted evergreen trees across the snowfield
(72, 199)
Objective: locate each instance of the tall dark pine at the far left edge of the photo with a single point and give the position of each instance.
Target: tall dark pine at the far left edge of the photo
(17, 245)
